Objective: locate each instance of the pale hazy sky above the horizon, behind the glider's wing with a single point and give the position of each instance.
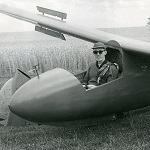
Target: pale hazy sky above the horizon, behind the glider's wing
(88, 13)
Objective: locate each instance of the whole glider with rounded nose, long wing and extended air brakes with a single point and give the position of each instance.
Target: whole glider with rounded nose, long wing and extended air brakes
(57, 96)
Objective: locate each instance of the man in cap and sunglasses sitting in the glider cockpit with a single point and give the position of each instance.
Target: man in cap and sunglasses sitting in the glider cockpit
(102, 71)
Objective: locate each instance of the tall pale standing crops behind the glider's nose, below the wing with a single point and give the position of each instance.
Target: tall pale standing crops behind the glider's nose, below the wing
(26, 49)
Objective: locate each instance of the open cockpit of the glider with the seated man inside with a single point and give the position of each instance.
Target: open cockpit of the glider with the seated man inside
(111, 68)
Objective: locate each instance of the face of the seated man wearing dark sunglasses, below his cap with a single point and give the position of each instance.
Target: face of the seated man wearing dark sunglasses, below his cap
(99, 54)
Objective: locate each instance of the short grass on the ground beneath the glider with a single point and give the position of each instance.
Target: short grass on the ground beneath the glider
(129, 133)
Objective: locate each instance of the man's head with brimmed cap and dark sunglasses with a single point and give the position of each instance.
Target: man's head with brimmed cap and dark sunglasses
(99, 51)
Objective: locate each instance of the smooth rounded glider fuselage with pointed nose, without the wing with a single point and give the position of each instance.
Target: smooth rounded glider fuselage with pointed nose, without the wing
(58, 96)
